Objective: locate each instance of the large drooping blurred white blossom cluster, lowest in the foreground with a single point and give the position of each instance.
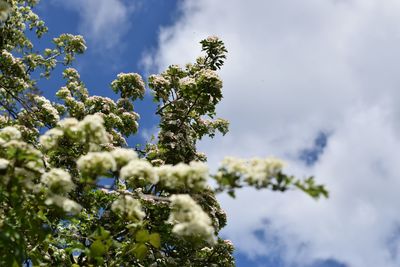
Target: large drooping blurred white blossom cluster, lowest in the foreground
(189, 219)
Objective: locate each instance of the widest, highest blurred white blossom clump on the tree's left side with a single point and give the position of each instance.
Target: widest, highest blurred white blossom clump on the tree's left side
(88, 131)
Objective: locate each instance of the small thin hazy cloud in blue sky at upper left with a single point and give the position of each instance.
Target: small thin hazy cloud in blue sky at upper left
(102, 21)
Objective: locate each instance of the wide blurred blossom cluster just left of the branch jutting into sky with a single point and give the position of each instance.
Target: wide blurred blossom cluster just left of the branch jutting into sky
(193, 176)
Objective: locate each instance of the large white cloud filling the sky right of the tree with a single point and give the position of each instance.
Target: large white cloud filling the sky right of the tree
(296, 68)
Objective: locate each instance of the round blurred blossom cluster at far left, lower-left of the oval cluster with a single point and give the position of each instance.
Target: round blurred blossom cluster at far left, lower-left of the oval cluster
(58, 180)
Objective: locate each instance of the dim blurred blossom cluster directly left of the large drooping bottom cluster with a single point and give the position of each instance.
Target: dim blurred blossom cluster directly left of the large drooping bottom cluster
(128, 206)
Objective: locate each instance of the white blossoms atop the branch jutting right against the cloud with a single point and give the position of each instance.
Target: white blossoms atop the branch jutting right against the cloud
(256, 171)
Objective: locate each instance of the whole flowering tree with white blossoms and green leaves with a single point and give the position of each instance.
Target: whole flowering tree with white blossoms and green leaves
(160, 209)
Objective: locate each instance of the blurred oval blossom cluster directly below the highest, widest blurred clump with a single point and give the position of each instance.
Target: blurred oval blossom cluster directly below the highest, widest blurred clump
(96, 163)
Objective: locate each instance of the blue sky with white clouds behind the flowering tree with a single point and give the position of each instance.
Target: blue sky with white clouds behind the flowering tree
(314, 82)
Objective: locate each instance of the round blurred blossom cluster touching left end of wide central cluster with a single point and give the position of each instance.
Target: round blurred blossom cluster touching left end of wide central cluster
(138, 171)
